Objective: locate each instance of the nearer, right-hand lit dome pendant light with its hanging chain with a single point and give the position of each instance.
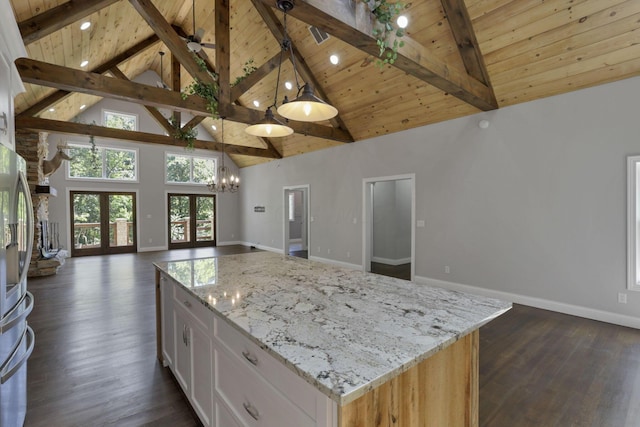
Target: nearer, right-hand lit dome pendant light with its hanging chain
(306, 107)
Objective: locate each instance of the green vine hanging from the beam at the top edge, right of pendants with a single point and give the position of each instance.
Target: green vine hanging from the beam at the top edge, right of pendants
(385, 14)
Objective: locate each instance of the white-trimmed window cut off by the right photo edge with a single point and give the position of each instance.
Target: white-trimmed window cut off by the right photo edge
(633, 218)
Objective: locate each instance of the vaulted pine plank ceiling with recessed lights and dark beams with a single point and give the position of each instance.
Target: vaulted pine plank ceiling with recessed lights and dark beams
(460, 57)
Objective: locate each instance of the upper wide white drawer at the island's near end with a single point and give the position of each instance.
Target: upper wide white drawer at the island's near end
(254, 358)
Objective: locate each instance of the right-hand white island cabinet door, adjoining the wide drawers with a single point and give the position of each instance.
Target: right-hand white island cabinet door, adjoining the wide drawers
(202, 371)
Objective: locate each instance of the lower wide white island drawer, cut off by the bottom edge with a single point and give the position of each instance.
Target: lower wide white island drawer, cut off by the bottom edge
(252, 399)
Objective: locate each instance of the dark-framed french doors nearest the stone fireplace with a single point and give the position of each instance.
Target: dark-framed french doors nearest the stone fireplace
(103, 222)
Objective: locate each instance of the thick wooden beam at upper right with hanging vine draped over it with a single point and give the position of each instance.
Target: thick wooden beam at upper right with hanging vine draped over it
(413, 58)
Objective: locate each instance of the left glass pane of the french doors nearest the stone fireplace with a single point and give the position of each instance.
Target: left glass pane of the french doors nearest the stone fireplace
(86, 221)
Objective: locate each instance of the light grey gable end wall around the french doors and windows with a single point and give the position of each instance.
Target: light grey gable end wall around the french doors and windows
(151, 188)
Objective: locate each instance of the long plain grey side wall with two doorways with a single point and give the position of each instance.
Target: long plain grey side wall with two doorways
(532, 208)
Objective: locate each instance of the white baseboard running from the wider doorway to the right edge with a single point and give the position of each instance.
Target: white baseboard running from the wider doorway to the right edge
(574, 310)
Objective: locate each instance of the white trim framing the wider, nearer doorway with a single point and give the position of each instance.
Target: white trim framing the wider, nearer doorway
(367, 220)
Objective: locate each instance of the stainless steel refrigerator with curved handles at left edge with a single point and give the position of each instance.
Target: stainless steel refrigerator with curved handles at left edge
(16, 241)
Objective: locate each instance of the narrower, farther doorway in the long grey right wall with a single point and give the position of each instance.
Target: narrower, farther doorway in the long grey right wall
(296, 221)
